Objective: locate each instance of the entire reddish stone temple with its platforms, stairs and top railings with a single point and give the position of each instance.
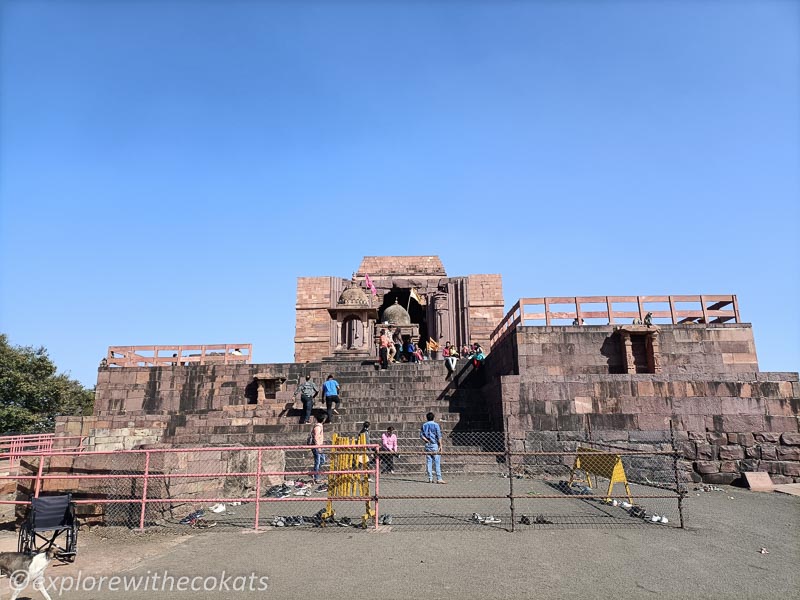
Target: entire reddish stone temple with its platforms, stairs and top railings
(620, 367)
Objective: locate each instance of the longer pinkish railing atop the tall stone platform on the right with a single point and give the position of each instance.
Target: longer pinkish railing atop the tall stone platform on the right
(704, 309)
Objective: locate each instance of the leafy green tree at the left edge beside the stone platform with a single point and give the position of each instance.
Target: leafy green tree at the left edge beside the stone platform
(33, 394)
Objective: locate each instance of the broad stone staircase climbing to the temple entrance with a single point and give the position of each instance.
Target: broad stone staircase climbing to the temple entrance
(400, 396)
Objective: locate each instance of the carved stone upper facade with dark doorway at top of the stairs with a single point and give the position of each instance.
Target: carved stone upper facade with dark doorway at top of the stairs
(459, 310)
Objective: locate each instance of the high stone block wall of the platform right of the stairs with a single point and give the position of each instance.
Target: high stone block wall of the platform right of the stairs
(727, 420)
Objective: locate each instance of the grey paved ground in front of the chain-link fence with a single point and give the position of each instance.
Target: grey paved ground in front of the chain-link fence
(717, 556)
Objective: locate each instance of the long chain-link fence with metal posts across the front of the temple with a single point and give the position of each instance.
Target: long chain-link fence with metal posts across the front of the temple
(484, 479)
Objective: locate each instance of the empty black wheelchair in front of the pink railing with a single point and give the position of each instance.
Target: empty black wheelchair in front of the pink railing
(54, 514)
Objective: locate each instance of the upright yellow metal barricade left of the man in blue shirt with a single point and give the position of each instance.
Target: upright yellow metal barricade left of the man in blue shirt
(348, 485)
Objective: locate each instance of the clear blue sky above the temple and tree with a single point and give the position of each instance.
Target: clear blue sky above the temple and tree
(168, 169)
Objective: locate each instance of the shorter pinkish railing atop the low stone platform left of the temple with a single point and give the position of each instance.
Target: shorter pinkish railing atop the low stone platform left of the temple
(170, 356)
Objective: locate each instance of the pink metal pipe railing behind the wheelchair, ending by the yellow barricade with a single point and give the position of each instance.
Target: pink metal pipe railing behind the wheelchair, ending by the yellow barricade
(146, 476)
